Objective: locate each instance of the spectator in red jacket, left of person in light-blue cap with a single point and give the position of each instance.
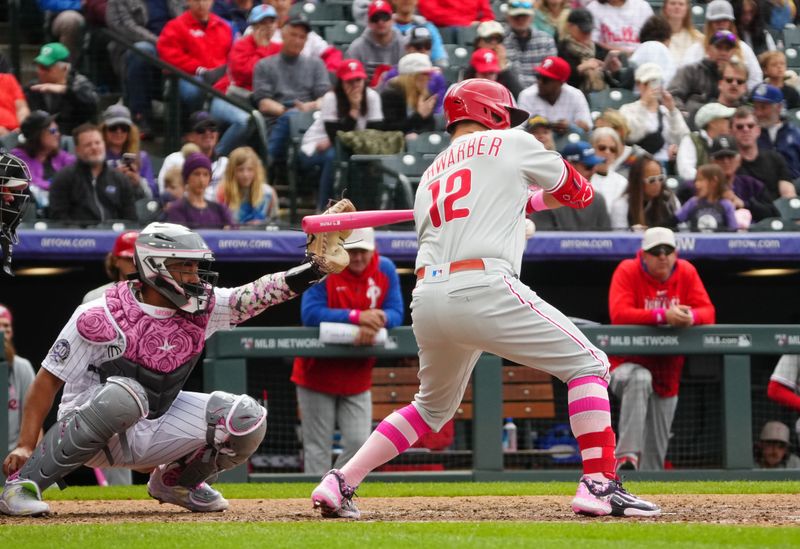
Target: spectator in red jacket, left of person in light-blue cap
(197, 42)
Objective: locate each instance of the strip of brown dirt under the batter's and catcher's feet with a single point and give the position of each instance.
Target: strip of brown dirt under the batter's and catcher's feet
(760, 510)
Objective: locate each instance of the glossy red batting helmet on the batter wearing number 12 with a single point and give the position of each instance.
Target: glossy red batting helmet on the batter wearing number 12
(483, 101)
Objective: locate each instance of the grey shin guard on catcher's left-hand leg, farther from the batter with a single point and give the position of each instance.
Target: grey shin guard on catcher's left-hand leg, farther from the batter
(77, 437)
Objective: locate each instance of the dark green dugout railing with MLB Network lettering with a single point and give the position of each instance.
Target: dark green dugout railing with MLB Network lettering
(227, 354)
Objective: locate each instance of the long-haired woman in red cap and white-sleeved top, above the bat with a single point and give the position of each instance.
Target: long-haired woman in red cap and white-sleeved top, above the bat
(351, 105)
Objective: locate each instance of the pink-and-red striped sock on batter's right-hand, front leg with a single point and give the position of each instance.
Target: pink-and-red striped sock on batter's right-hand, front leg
(590, 419)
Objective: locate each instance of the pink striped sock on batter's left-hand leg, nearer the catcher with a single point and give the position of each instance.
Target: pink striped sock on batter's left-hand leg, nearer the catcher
(392, 437)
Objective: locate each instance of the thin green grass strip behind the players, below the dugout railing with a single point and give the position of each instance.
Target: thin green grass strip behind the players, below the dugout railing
(433, 489)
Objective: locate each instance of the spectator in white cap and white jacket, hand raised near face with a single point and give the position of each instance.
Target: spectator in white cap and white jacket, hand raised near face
(655, 123)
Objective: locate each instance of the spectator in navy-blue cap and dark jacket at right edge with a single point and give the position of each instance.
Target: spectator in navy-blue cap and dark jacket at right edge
(776, 134)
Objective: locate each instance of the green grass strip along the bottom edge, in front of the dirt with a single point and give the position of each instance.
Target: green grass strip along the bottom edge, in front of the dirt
(401, 535)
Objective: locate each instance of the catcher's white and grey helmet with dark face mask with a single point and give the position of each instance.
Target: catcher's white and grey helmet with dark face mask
(176, 262)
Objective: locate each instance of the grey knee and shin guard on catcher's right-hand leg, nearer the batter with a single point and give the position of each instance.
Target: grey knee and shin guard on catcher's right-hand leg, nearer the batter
(236, 426)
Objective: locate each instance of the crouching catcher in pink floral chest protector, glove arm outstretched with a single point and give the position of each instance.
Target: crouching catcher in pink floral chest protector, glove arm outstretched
(123, 359)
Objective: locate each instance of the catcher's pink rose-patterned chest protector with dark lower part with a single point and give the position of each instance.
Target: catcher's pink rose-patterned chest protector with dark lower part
(159, 353)
